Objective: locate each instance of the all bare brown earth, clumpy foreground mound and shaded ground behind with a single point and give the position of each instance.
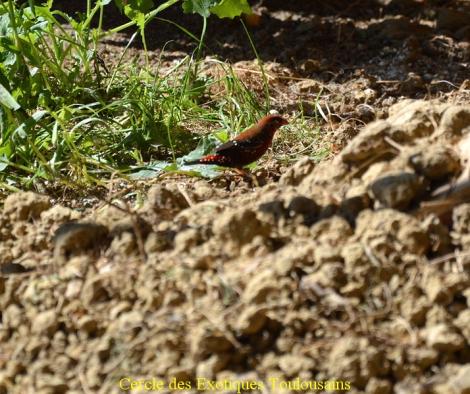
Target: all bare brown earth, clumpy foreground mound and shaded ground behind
(354, 269)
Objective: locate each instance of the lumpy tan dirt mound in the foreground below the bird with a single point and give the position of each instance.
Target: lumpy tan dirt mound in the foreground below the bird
(355, 270)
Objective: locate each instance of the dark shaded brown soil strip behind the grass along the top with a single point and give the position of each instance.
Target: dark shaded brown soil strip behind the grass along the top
(331, 40)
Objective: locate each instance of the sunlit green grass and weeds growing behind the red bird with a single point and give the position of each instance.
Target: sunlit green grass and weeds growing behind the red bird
(67, 117)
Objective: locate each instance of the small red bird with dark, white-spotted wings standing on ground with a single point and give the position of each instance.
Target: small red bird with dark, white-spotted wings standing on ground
(247, 146)
